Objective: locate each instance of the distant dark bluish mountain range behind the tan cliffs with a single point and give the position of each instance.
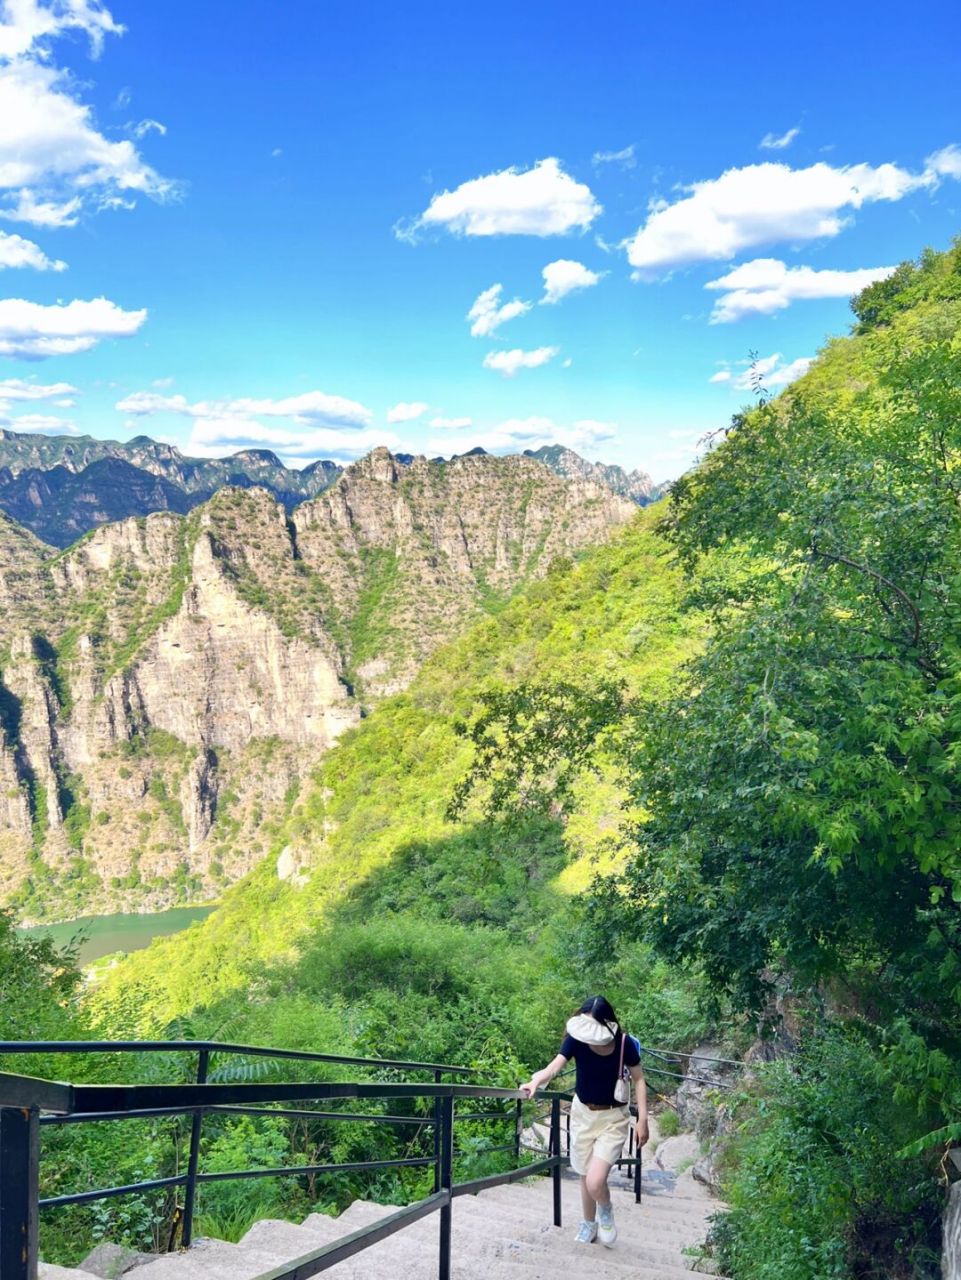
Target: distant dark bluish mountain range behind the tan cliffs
(61, 487)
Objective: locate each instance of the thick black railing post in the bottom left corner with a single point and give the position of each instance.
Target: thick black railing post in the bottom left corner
(20, 1192)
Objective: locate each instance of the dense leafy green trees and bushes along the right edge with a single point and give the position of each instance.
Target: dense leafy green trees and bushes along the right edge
(800, 788)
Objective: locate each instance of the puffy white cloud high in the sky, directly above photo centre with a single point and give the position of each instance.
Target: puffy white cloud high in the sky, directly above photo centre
(539, 202)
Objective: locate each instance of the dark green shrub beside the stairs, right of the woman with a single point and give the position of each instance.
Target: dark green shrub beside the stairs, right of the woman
(816, 1188)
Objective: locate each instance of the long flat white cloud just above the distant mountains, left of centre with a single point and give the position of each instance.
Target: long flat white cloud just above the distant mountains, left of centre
(318, 424)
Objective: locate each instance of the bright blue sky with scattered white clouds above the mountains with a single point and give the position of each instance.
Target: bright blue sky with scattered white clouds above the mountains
(290, 212)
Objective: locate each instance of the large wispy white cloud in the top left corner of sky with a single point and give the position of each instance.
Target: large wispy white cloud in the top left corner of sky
(54, 161)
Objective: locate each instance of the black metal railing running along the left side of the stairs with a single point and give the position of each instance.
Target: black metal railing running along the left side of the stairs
(29, 1104)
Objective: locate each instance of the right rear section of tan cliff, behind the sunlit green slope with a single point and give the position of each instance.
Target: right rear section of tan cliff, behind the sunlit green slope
(432, 543)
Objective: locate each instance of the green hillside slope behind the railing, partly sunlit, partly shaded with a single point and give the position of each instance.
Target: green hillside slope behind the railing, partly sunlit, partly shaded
(400, 931)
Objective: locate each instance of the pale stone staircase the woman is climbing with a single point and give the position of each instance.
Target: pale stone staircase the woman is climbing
(502, 1235)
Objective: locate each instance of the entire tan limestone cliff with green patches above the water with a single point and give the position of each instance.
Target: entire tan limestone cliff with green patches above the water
(166, 683)
